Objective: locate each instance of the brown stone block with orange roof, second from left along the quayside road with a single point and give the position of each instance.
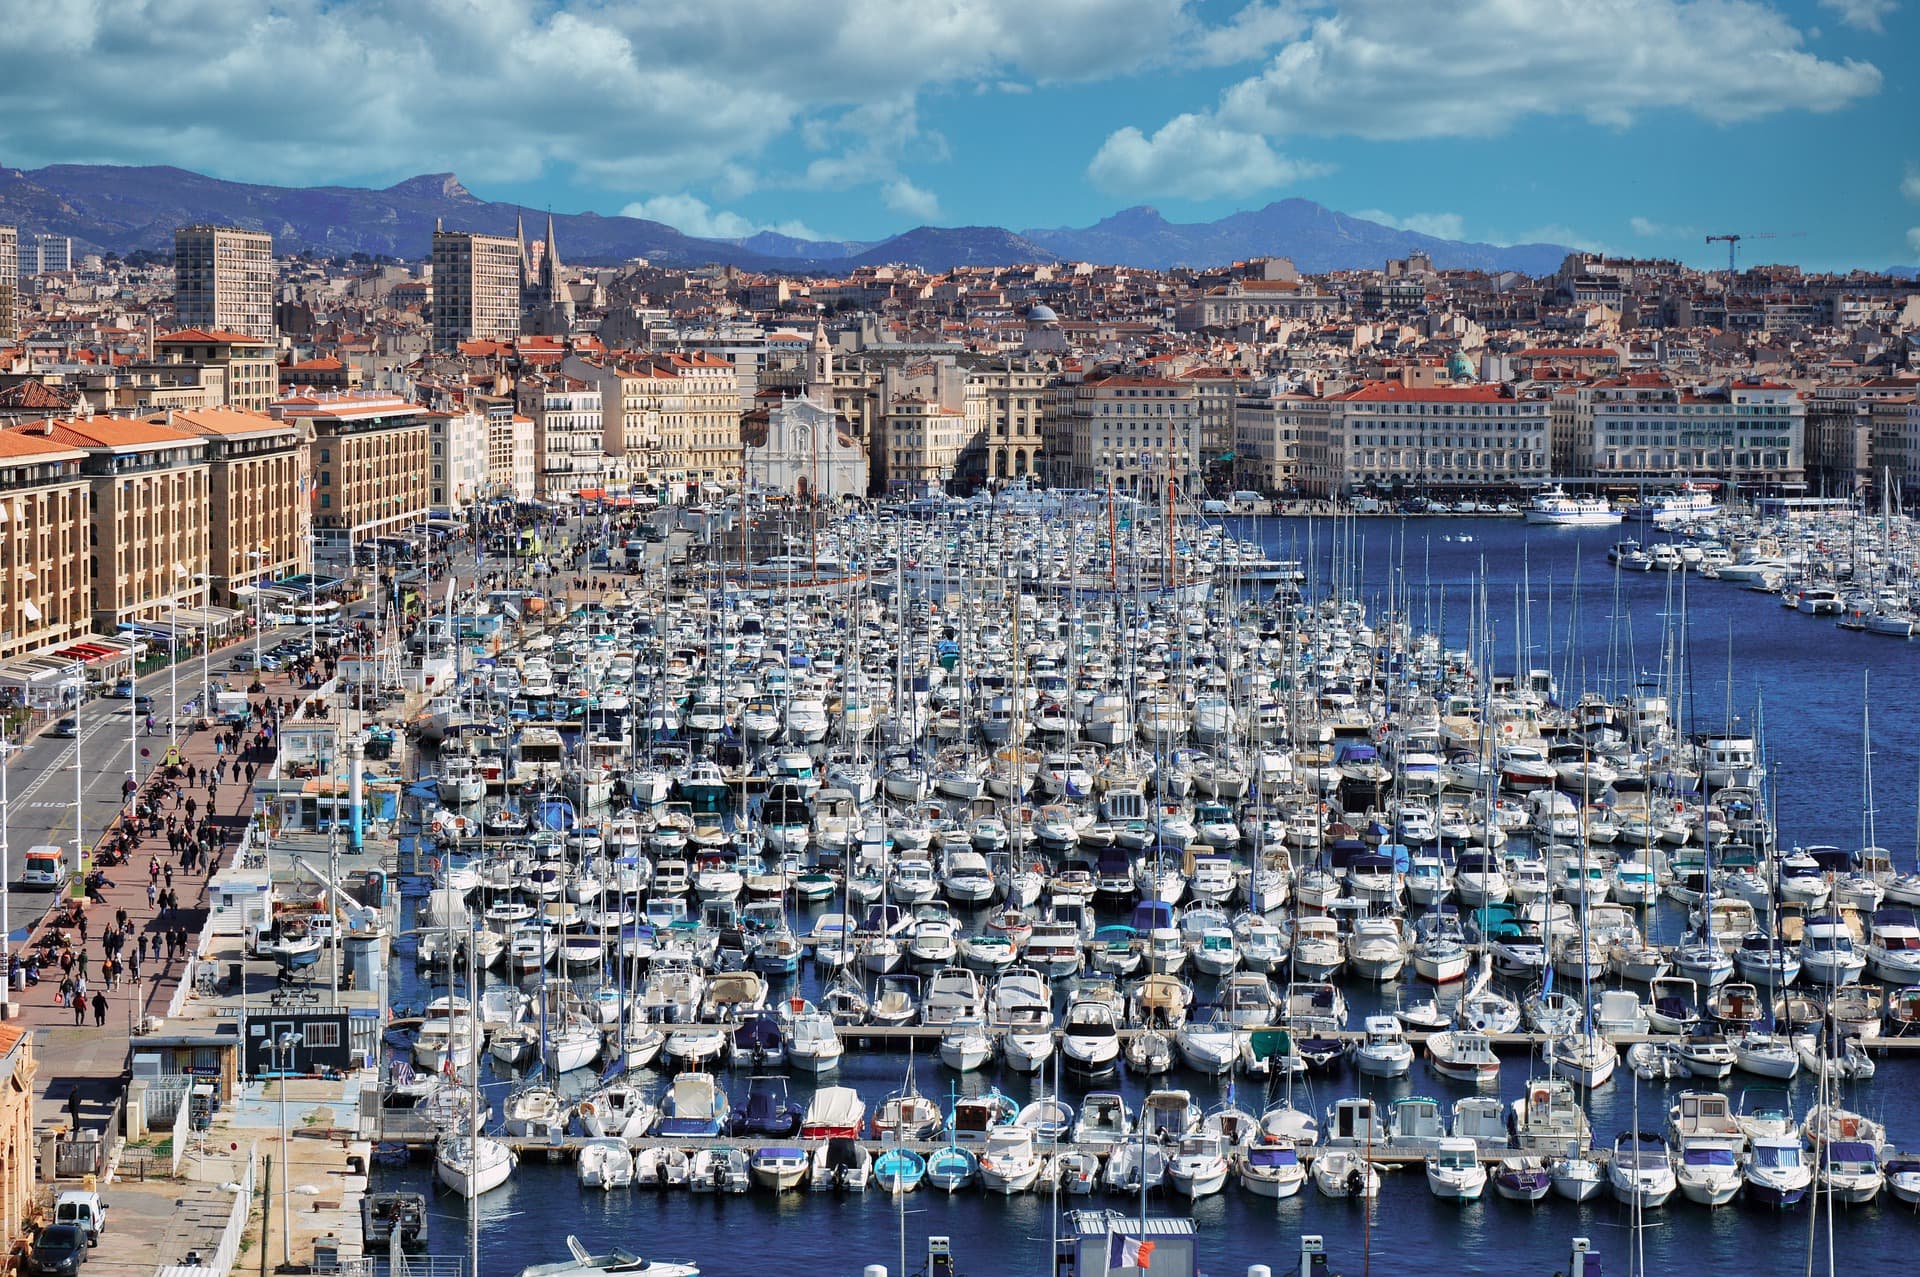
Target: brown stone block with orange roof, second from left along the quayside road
(149, 516)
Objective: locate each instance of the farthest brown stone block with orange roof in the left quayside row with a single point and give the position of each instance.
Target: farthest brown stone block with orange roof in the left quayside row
(370, 466)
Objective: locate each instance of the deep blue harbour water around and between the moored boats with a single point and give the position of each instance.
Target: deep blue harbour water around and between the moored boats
(1812, 679)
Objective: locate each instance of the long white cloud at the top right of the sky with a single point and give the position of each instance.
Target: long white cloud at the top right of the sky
(1387, 70)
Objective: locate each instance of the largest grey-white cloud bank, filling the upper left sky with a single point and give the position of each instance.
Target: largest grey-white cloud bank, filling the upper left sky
(673, 93)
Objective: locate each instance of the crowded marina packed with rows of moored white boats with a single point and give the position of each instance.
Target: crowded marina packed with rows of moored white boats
(823, 890)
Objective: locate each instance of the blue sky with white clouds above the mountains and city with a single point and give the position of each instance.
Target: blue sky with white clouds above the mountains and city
(1633, 128)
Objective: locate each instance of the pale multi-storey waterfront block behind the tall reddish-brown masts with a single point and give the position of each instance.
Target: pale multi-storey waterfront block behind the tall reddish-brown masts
(1130, 429)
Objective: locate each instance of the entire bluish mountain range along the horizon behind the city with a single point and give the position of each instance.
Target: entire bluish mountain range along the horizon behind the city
(112, 208)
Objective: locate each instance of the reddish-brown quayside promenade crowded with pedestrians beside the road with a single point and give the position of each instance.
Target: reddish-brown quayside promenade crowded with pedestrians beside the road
(91, 1059)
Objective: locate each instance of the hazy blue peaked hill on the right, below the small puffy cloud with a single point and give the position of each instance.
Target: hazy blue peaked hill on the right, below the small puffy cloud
(1316, 237)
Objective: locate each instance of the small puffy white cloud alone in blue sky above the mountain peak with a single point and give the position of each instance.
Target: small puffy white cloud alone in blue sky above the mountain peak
(1195, 158)
